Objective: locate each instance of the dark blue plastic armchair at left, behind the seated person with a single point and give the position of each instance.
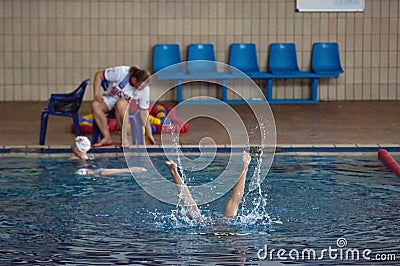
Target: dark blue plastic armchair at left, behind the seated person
(63, 105)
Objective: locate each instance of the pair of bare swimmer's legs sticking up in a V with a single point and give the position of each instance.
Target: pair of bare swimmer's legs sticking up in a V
(190, 205)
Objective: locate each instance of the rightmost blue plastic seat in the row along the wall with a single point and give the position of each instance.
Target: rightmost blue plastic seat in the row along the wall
(325, 59)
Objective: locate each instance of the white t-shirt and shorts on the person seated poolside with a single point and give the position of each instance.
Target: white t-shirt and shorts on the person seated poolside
(123, 90)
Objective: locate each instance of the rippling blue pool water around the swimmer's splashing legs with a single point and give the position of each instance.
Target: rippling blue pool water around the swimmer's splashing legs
(50, 216)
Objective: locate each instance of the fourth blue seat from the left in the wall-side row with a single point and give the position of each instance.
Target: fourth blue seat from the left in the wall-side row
(283, 58)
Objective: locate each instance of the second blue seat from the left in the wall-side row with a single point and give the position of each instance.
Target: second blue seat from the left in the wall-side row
(201, 59)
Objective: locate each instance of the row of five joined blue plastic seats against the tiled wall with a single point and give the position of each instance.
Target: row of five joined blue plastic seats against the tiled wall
(282, 64)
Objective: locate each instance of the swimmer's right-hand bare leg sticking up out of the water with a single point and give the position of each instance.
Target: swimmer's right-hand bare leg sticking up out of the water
(238, 191)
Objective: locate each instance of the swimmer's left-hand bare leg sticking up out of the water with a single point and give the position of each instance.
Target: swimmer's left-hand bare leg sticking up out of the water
(190, 205)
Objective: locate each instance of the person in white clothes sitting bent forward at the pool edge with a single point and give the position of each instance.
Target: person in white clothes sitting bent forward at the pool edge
(127, 84)
